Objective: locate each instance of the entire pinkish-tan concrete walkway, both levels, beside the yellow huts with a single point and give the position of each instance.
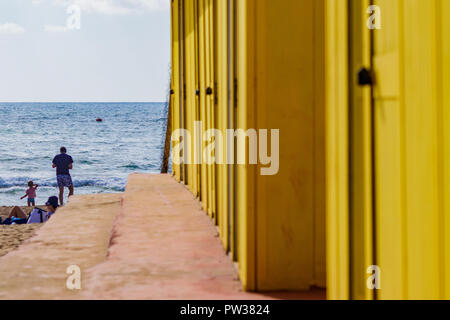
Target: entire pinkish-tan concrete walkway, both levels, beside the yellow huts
(160, 246)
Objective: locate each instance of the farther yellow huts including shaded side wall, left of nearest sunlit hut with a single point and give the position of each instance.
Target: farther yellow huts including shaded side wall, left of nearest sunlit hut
(274, 226)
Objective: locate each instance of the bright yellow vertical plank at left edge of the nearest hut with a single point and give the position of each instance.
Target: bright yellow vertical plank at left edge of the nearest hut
(337, 149)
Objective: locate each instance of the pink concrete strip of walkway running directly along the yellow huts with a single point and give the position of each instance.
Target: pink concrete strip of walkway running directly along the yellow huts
(163, 246)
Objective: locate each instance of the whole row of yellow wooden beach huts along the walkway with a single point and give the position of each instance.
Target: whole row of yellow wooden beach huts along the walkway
(361, 97)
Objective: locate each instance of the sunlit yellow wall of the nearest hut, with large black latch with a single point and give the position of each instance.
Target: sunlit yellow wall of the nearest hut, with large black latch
(406, 202)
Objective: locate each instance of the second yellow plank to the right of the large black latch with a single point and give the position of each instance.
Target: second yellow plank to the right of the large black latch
(421, 150)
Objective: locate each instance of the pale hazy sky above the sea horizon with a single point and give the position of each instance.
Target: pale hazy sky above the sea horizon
(120, 53)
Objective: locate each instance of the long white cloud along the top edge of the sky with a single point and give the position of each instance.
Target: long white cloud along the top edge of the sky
(113, 7)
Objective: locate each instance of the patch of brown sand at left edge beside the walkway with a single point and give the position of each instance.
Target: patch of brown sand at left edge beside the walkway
(11, 237)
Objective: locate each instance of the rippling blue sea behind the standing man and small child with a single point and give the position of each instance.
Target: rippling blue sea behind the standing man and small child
(130, 139)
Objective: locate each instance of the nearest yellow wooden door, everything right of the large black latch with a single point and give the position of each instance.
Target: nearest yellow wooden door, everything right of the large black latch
(409, 162)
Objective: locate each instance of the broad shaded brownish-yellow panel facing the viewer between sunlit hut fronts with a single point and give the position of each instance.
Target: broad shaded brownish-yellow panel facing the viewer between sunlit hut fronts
(286, 98)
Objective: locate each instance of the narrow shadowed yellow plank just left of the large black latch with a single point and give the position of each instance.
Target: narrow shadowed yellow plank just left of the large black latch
(361, 213)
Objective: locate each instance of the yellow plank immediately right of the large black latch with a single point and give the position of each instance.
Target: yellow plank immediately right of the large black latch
(389, 181)
